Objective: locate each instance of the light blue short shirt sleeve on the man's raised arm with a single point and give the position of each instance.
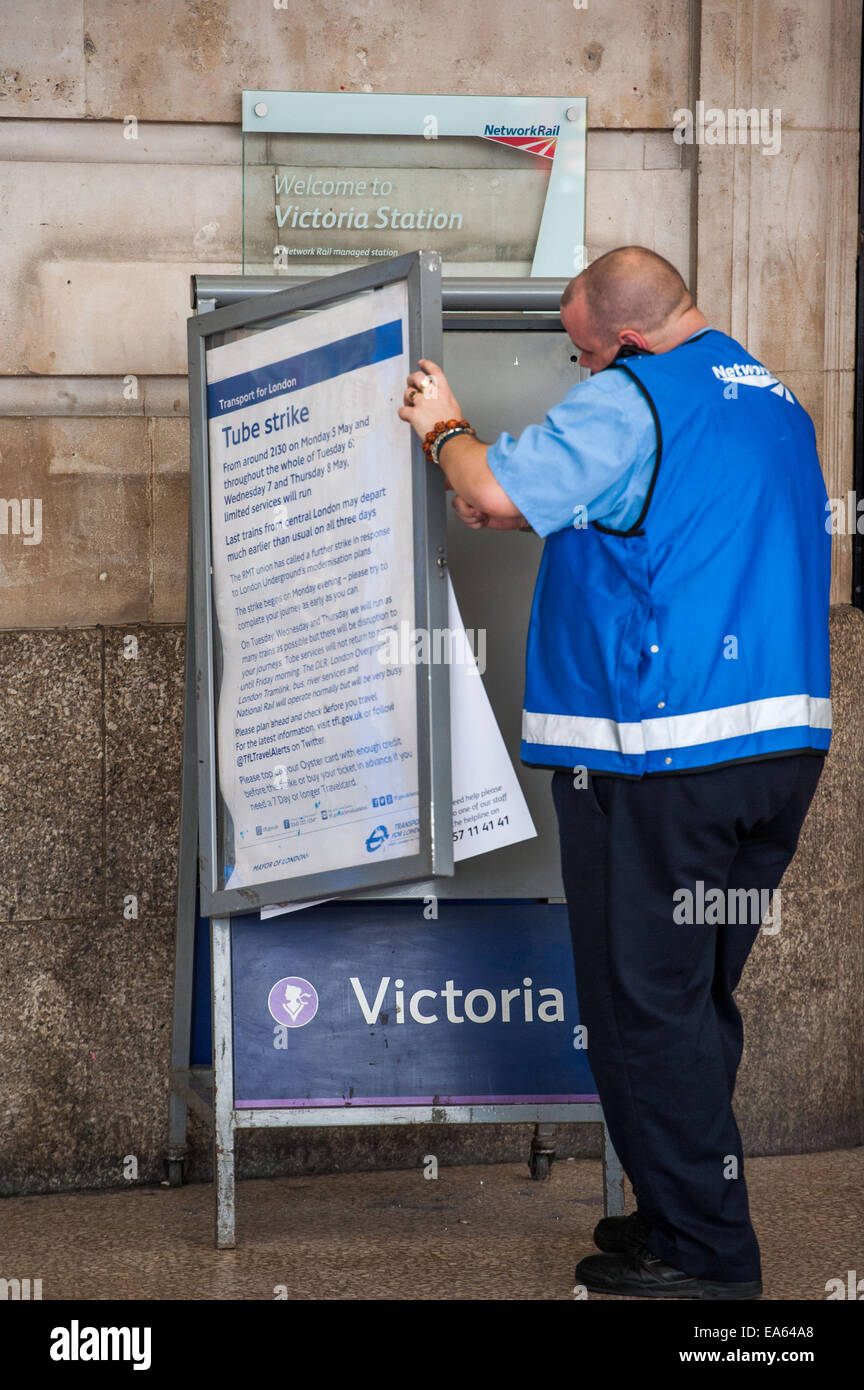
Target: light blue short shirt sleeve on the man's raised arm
(595, 451)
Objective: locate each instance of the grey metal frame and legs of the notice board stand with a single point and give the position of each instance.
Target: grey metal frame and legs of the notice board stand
(210, 1090)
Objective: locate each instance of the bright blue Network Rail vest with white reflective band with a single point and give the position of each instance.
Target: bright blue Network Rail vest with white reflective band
(699, 636)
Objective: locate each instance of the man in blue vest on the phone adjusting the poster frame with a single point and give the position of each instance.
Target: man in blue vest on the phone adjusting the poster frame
(679, 685)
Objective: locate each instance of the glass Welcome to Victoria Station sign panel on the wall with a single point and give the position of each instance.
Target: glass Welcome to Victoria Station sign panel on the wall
(497, 186)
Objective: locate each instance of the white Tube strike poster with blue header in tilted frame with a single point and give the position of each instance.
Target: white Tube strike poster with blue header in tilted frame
(312, 559)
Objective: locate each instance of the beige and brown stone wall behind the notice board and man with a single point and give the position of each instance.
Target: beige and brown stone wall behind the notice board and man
(99, 236)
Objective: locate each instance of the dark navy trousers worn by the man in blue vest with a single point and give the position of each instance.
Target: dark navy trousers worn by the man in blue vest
(656, 995)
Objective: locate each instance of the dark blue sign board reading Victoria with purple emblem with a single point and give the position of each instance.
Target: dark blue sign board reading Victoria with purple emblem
(372, 1004)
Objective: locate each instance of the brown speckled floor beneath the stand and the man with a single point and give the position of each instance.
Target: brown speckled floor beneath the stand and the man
(485, 1234)
